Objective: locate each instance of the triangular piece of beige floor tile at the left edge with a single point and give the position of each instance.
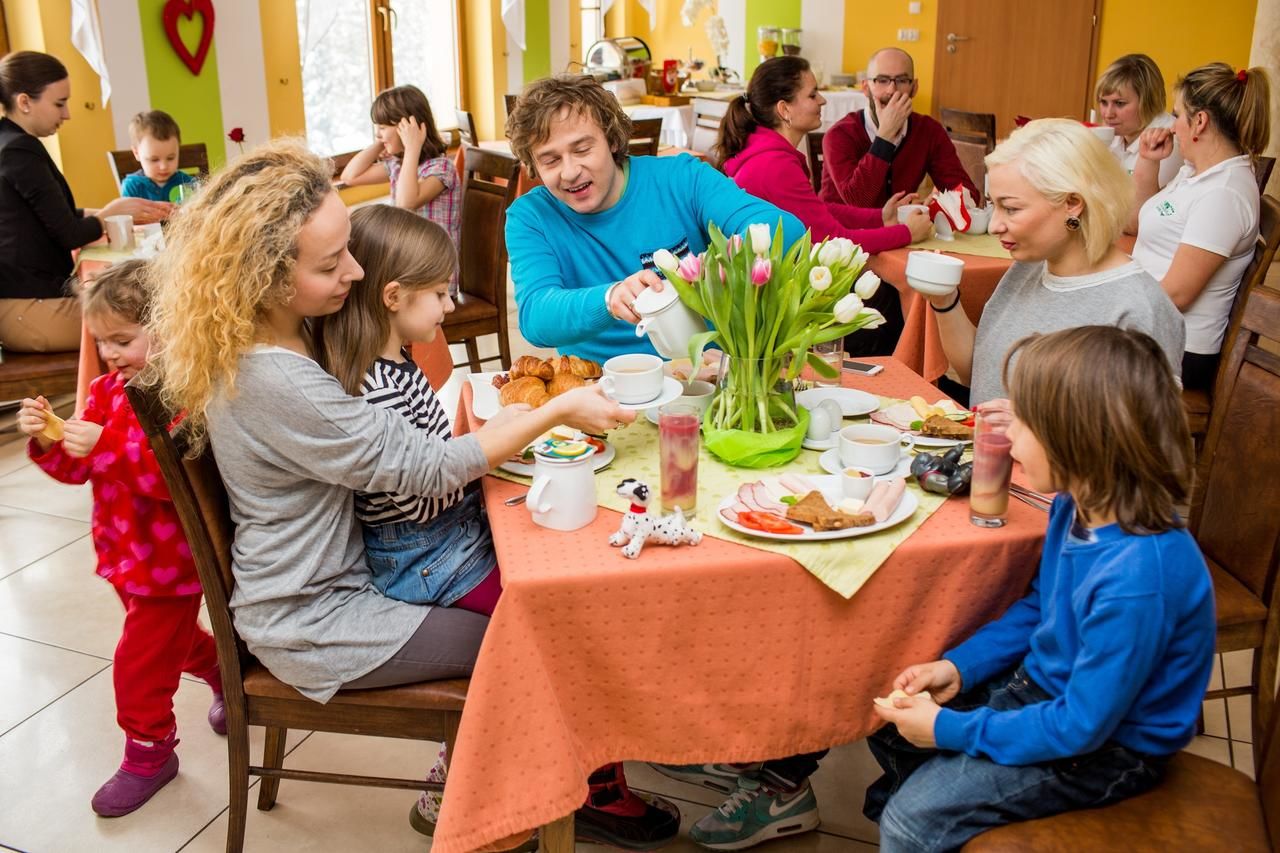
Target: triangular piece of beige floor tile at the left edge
(33, 676)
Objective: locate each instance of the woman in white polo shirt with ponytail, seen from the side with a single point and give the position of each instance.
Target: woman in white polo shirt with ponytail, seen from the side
(1196, 236)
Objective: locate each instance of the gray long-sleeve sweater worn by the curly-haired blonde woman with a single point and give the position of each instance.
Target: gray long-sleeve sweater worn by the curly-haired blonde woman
(292, 448)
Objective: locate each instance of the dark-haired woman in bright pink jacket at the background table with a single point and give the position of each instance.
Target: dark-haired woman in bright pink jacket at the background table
(758, 148)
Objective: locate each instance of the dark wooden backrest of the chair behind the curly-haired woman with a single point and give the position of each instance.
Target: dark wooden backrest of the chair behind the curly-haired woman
(200, 500)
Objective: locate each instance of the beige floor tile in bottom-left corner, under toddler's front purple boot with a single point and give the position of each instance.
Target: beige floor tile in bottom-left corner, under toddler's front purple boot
(56, 761)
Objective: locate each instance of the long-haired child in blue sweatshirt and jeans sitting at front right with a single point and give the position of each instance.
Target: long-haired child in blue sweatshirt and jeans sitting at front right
(1077, 696)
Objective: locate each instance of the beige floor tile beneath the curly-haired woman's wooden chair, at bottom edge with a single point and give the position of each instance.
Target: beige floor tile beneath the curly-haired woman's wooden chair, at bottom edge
(336, 818)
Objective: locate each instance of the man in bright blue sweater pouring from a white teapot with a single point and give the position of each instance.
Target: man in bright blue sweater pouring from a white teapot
(582, 245)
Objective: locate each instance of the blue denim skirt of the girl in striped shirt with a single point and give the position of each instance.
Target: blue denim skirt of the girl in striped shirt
(437, 563)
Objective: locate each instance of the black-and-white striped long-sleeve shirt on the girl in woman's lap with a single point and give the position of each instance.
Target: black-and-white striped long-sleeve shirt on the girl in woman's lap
(403, 387)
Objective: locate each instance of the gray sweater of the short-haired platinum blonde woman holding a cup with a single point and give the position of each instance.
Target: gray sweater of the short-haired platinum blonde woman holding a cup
(1030, 299)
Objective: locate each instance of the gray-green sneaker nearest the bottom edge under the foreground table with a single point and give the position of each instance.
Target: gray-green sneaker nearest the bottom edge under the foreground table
(757, 813)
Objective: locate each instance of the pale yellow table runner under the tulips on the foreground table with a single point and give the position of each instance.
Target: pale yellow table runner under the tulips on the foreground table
(844, 565)
